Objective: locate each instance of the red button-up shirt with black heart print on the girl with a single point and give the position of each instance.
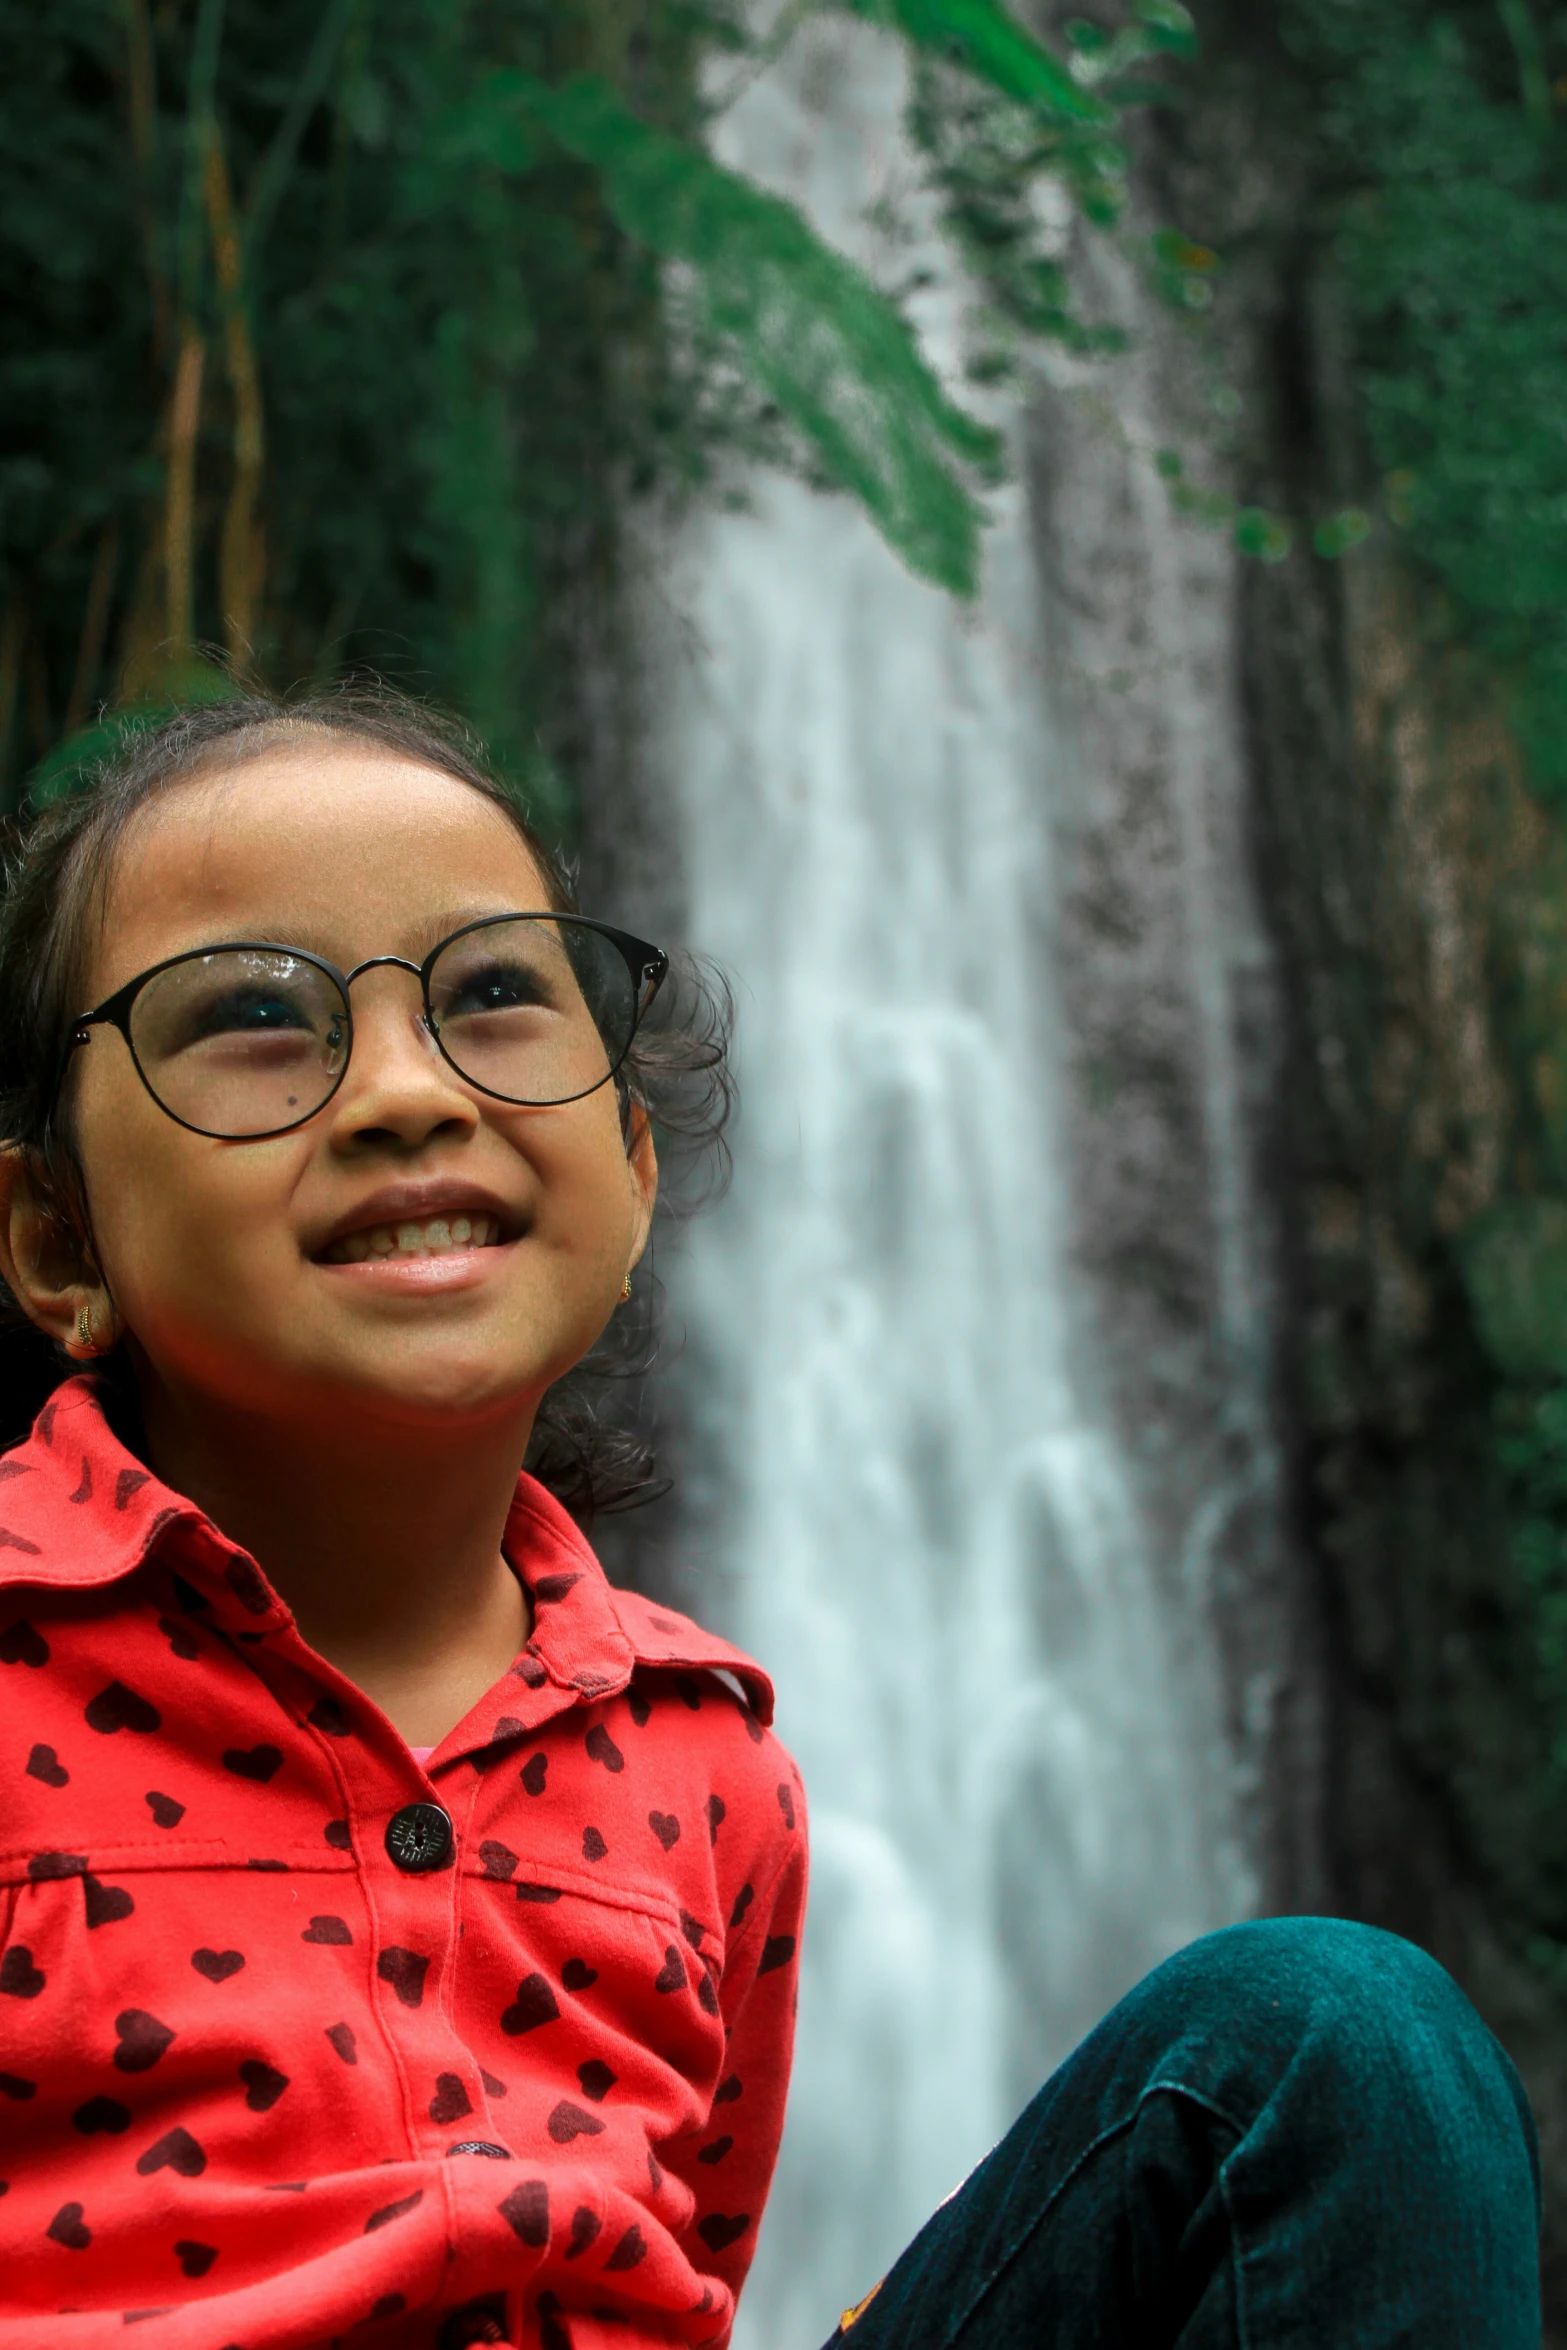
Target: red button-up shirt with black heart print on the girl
(264, 2079)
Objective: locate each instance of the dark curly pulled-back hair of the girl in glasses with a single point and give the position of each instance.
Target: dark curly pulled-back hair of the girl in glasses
(58, 875)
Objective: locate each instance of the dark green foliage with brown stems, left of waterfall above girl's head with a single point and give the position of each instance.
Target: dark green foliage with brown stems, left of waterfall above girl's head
(452, 377)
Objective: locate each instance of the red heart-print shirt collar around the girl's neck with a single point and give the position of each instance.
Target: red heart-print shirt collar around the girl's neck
(81, 1512)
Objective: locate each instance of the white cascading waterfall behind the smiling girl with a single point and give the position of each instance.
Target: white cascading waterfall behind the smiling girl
(908, 1486)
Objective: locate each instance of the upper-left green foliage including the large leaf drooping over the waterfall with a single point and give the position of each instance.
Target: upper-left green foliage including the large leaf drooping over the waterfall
(339, 333)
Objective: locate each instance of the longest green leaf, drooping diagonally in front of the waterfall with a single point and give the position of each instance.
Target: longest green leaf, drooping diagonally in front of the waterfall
(812, 330)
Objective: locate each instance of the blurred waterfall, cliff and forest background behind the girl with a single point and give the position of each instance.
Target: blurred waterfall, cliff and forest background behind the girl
(1042, 544)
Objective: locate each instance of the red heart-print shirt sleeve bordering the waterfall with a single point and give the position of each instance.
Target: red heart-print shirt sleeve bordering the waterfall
(729, 2166)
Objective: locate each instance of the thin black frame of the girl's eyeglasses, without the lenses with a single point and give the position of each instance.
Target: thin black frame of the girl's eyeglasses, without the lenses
(647, 967)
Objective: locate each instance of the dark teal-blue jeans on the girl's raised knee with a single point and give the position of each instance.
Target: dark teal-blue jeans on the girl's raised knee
(1291, 2135)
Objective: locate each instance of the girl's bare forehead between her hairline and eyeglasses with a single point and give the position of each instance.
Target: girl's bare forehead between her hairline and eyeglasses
(339, 847)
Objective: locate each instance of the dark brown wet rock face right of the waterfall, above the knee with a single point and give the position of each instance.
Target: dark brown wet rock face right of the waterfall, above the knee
(1387, 873)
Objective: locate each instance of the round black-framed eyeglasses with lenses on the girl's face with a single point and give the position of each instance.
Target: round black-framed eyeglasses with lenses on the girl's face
(250, 1040)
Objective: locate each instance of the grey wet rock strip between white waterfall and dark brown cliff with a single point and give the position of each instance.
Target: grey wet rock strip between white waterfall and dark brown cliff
(1173, 1019)
